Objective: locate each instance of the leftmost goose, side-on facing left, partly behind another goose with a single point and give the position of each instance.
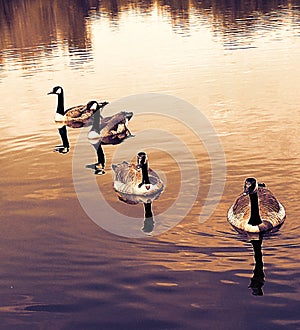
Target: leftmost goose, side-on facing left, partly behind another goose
(78, 115)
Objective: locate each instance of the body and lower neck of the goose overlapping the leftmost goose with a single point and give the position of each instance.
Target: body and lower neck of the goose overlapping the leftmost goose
(110, 130)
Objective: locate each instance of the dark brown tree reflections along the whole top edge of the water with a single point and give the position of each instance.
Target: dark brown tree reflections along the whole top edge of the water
(33, 29)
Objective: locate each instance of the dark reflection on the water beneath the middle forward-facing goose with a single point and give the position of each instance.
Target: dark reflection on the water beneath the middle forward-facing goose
(149, 222)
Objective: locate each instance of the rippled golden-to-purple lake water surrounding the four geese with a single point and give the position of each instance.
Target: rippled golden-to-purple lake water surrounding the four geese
(236, 67)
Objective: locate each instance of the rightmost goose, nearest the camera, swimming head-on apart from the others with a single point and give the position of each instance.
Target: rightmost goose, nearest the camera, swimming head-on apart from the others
(256, 209)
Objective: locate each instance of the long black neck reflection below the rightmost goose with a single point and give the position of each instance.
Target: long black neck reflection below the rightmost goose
(258, 278)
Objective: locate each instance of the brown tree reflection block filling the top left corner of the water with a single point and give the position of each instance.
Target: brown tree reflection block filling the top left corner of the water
(33, 29)
